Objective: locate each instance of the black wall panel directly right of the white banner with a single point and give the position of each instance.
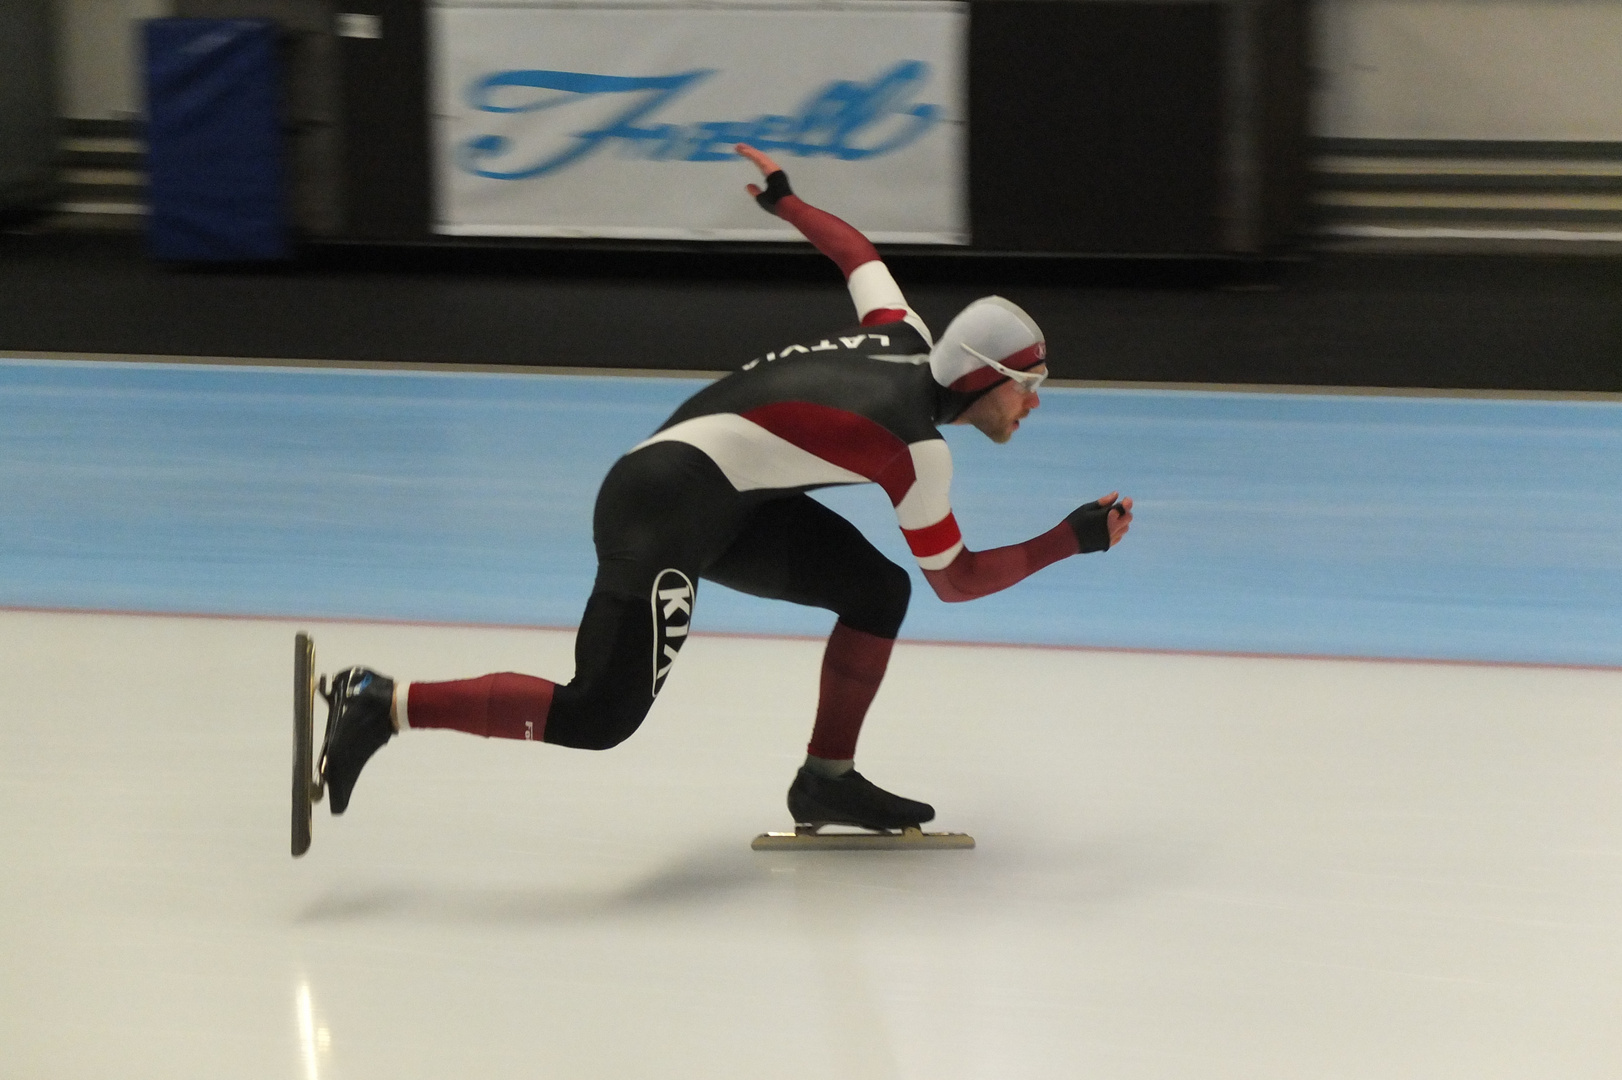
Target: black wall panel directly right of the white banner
(1096, 126)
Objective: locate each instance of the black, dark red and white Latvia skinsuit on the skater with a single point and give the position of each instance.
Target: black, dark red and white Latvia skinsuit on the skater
(719, 494)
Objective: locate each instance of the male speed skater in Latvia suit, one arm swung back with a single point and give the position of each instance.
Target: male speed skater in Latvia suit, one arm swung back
(719, 494)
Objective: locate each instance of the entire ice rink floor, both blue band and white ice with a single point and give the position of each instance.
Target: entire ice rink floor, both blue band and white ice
(1386, 844)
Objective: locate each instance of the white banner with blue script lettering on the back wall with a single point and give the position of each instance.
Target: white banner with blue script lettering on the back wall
(619, 121)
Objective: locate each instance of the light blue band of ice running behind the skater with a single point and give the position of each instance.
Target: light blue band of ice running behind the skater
(1269, 523)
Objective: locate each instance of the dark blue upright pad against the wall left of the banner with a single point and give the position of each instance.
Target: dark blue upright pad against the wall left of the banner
(215, 142)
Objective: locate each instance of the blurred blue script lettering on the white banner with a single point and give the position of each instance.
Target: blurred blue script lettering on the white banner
(831, 122)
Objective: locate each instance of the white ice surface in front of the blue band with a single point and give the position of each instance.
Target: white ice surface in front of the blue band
(1188, 867)
